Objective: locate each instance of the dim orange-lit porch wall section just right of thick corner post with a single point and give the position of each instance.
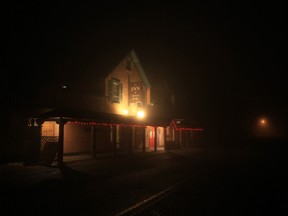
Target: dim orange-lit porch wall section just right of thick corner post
(77, 139)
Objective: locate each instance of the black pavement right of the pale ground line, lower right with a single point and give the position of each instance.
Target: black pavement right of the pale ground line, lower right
(253, 184)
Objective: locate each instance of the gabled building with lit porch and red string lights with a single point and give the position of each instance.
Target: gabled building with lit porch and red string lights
(106, 111)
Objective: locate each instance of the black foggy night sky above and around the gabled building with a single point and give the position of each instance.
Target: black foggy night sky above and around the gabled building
(225, 62)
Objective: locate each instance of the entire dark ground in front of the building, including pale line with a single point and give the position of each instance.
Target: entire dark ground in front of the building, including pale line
(202, 181)
